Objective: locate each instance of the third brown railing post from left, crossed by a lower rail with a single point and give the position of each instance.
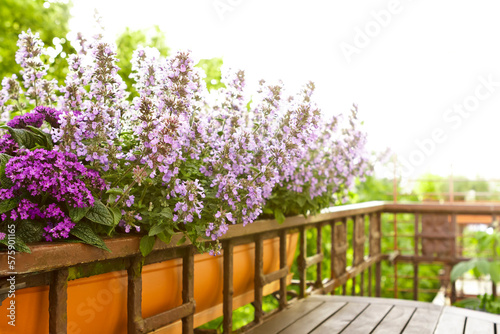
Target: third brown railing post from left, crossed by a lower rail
(188, 287)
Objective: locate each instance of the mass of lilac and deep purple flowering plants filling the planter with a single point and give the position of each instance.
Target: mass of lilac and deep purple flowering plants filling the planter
(85, 161)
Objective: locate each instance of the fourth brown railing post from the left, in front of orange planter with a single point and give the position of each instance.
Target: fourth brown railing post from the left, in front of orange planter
(228, 287)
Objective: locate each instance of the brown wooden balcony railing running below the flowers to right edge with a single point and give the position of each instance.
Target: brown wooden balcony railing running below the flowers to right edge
(355, 232)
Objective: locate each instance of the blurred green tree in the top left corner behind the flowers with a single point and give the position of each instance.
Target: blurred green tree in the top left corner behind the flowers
(48, 18)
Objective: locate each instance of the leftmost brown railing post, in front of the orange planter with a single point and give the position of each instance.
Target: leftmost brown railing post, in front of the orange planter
(58, 297)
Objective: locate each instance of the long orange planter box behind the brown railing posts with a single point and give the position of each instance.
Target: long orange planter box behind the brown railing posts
(98, 304)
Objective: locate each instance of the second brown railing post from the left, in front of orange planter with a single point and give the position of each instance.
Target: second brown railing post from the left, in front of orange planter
(135, 323)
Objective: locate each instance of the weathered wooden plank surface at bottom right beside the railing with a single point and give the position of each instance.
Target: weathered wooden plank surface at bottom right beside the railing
(348, 315)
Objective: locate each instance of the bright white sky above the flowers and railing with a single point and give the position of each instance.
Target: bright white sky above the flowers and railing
(425, 74)
